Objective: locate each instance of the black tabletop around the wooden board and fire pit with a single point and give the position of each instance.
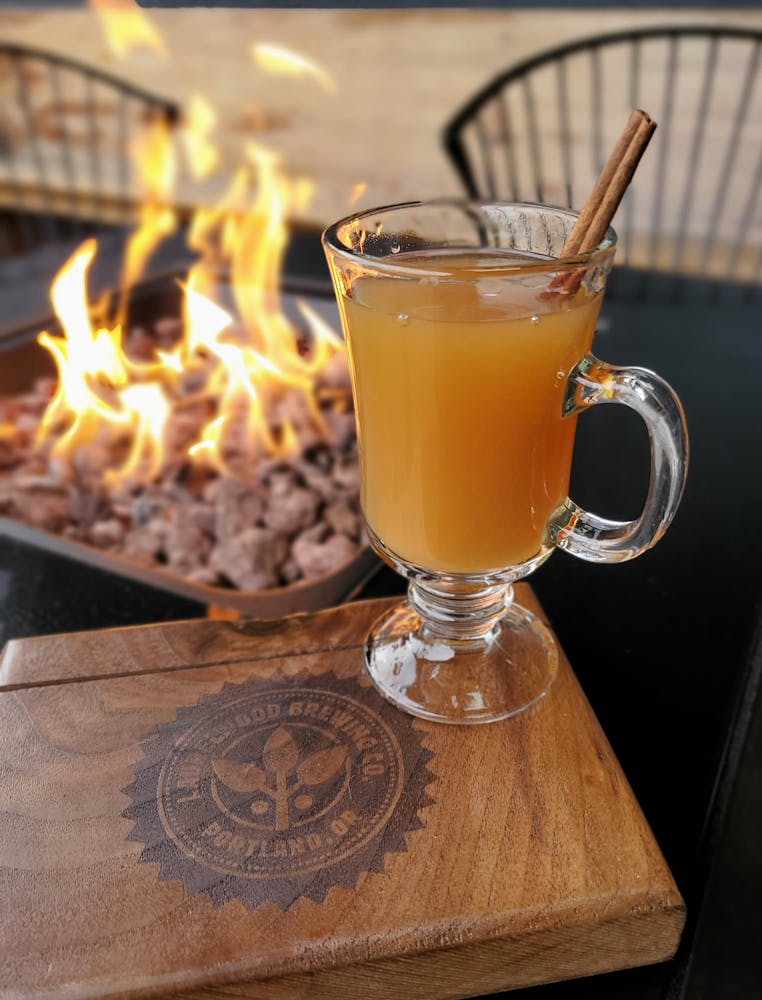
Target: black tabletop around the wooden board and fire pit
(667, 647)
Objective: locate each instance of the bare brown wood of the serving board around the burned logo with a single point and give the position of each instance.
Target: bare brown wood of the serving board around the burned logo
(533, 863)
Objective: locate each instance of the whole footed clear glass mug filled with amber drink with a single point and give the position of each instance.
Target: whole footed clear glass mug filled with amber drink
(469, 345)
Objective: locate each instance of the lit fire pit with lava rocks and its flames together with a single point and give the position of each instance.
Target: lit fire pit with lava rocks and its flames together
(196, 433)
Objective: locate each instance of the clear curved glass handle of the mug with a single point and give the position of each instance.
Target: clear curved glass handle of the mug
(598, 539)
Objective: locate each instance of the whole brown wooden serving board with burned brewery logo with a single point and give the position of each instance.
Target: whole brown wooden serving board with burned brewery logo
(230, 809)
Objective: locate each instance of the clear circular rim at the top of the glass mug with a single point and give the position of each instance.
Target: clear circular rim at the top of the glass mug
(392, 264)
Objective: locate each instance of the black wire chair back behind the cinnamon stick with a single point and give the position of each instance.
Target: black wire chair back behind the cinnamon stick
(538, 132)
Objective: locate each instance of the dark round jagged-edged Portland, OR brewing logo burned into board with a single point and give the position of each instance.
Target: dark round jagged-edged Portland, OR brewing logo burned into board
(272, 790)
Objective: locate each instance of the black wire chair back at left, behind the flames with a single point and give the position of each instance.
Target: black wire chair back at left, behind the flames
(65, 134)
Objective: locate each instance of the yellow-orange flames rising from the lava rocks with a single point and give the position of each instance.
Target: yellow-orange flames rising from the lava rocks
(239, 361)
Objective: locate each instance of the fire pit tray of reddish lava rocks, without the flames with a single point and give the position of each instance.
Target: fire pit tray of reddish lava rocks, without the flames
(283, 535)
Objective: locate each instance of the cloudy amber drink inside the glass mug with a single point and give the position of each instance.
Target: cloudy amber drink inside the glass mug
(458, 392)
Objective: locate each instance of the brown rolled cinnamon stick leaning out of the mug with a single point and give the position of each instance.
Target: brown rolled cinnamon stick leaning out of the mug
(600, 208)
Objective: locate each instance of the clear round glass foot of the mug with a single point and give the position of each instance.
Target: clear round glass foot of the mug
(461, 682)
